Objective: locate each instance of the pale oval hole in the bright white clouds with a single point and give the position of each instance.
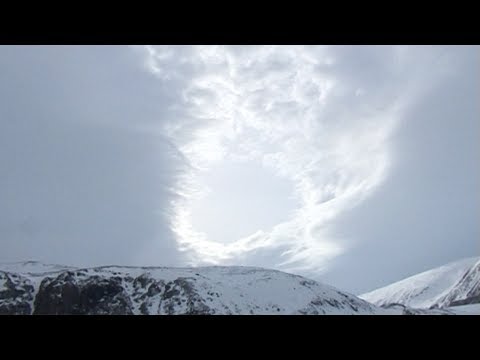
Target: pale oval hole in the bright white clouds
(243, 198)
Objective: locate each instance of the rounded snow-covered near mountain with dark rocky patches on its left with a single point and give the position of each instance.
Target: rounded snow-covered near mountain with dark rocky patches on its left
(36, 288)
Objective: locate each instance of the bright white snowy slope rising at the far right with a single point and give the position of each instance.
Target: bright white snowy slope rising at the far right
(456, 283)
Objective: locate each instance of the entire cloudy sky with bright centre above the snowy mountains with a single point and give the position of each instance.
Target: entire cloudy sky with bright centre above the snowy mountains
(352, 165)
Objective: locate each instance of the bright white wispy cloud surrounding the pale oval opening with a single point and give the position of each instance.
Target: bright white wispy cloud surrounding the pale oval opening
(320, 117)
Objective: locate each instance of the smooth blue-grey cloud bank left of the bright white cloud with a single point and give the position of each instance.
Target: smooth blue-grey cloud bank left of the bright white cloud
(85, 181)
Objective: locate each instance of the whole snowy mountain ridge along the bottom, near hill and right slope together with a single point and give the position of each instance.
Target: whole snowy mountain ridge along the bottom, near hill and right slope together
(33, 287)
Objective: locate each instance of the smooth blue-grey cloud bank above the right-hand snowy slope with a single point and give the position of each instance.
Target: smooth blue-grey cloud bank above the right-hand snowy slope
(425, 213)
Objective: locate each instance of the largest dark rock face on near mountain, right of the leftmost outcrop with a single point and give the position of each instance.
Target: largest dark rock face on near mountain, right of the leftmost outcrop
(72, 294)
